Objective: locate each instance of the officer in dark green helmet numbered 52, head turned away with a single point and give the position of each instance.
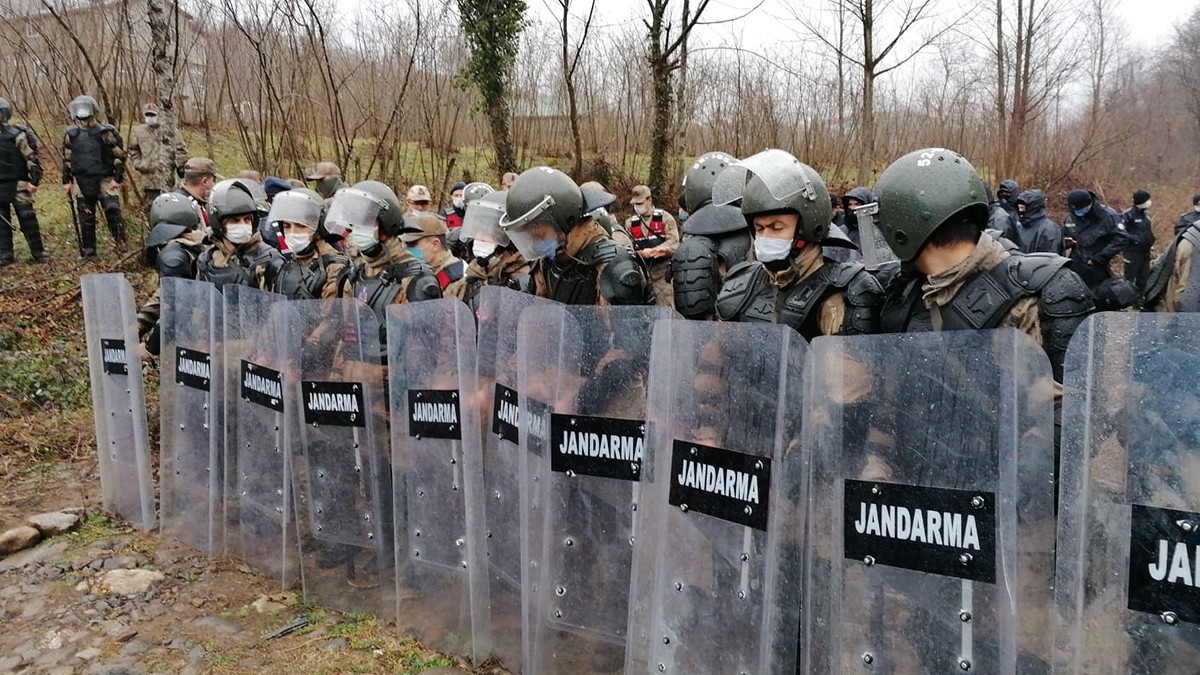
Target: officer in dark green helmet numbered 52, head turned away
(933, 213)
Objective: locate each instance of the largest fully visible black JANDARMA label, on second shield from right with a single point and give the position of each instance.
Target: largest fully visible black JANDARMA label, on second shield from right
(934, 530)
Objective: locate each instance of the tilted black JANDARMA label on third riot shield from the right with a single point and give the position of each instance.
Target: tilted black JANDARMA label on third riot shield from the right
(725, 485)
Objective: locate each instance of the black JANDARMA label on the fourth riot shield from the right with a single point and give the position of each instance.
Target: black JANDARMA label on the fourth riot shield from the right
(597, 446)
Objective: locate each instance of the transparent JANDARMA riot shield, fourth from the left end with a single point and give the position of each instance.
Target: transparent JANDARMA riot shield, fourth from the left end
(344, 485)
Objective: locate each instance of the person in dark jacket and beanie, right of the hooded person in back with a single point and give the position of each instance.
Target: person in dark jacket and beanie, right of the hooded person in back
(1094, 235)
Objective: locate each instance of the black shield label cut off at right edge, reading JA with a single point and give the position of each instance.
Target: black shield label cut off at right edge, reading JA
(1165, 563)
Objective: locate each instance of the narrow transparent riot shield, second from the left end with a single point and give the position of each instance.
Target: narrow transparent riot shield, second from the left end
(193, 414)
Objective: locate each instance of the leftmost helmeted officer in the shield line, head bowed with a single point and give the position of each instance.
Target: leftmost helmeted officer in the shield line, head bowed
(172, 248)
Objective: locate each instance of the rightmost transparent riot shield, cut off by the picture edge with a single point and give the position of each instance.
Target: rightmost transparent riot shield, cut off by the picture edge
(1129, 564)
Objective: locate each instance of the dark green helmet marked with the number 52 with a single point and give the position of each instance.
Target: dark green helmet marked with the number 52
(921, 192)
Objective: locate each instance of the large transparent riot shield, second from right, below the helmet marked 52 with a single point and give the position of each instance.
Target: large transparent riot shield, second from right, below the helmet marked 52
(932, 504)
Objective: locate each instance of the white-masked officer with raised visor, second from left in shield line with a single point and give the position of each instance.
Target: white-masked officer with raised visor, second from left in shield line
(238, 254)
